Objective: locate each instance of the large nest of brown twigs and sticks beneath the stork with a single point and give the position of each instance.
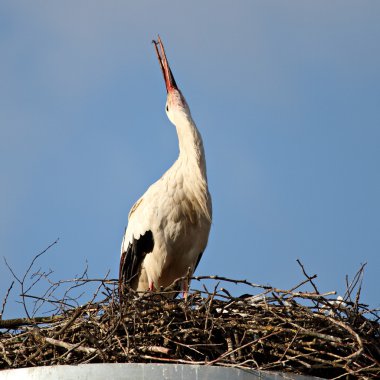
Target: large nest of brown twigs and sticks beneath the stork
(303, 332)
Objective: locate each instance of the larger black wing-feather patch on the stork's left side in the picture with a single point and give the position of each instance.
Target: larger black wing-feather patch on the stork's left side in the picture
(131, 259)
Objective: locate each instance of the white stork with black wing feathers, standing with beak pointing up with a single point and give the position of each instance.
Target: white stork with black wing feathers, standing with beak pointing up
(168, 227)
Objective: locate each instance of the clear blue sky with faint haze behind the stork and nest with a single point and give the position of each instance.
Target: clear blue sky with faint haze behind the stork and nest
(285, 94)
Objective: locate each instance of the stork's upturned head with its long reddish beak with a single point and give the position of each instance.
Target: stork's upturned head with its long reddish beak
(176, 106)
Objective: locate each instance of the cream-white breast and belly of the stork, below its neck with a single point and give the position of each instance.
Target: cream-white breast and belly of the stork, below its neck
(180, 223)
